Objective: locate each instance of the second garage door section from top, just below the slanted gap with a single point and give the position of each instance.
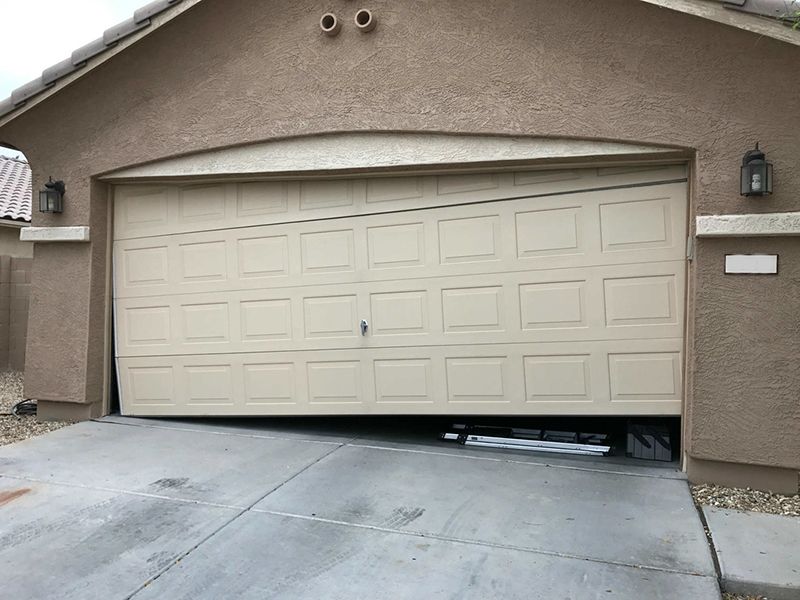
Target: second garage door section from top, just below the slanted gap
(500, 237)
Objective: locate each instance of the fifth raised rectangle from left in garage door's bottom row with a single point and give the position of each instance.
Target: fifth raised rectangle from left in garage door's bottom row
(403, 381)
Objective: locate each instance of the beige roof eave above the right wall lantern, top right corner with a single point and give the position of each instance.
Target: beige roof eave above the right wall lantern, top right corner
(714, 10)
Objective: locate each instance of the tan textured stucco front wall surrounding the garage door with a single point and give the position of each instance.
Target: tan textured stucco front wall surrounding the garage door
(226, 74)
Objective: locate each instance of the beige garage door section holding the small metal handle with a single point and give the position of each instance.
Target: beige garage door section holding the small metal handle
(598, 303)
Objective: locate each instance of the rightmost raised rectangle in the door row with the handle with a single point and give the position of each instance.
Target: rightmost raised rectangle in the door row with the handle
(640, 301)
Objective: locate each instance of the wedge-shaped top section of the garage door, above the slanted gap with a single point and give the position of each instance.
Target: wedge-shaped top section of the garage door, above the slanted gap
(153, 210)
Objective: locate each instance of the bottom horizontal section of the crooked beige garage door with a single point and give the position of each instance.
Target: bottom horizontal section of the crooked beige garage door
(559, 378)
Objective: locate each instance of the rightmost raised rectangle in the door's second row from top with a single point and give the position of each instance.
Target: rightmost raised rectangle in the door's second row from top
(635, 225)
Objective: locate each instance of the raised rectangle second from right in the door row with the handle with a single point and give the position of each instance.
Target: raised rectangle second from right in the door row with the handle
(552, 305)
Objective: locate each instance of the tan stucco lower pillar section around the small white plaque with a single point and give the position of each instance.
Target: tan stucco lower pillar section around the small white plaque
(747, 357)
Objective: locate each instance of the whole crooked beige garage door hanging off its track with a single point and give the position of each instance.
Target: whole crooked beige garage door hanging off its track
(500, 293)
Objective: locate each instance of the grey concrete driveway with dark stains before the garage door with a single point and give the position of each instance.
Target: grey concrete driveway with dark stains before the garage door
(127, 508)
